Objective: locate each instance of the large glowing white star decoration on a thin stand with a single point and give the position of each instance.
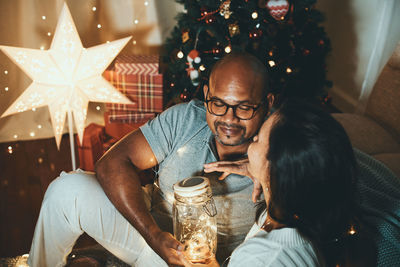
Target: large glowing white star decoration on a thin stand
(66, 77)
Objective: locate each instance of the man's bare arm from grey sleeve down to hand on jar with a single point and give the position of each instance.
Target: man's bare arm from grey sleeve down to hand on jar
(117, 172)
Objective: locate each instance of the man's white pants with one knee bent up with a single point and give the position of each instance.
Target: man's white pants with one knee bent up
(75, 203)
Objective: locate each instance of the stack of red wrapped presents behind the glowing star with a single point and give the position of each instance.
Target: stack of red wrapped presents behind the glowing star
(139, 79)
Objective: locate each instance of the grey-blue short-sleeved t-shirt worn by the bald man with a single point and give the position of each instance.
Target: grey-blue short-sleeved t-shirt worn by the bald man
(182, 142)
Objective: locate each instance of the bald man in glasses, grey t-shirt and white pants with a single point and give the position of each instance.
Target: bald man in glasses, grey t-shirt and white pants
(111, 206)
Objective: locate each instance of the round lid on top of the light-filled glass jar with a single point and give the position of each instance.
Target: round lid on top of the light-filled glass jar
(192, 186)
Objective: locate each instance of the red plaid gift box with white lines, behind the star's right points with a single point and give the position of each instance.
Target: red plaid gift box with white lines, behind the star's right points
(145, 91)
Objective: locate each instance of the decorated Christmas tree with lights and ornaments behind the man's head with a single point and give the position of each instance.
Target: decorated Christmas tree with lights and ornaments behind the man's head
(285, 34)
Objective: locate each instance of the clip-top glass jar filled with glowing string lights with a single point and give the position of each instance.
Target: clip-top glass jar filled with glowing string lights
(195, 223)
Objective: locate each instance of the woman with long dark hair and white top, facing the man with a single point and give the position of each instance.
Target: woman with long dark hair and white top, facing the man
(303, 162)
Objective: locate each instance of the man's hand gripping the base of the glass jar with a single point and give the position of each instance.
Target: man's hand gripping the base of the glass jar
(165, 245)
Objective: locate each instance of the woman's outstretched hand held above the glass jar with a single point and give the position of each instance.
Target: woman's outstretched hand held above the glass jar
(237, 167)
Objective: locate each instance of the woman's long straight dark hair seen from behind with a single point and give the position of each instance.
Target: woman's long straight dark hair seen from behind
(312, 175)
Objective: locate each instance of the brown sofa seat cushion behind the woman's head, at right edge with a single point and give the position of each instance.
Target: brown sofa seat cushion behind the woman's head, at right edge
(366, 135)
